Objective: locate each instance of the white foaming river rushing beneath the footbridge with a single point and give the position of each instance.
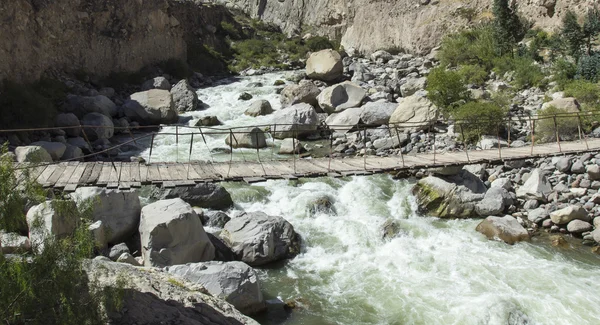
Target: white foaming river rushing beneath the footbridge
(433, 272)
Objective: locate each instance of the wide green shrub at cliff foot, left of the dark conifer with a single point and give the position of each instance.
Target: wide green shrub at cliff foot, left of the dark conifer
(473, 46)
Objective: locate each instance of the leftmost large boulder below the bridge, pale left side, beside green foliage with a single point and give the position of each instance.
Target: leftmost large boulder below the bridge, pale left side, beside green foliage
(56, 218)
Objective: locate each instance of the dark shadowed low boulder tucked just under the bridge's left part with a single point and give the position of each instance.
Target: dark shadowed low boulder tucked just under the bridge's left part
(204, 195)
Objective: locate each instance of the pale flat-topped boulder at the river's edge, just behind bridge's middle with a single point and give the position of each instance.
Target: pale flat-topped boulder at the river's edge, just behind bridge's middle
(295, 121)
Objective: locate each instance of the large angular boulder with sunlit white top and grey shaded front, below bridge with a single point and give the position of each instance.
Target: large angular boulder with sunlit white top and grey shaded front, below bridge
(171, 233)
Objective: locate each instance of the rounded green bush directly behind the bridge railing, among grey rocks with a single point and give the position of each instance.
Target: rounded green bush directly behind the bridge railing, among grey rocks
(475, 119)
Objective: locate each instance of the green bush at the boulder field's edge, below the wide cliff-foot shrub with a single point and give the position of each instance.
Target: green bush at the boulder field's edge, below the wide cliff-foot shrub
(446, 88)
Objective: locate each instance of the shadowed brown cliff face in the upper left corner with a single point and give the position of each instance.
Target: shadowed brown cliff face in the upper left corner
(99, 36)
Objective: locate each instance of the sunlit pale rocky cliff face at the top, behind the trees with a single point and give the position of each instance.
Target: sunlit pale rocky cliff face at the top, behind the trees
(415, 26)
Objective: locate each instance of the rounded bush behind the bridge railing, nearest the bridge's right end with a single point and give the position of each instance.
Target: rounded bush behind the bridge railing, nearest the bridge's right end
(545, 129)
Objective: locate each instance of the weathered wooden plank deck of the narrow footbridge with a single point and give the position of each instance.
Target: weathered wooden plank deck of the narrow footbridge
(69, 176)
